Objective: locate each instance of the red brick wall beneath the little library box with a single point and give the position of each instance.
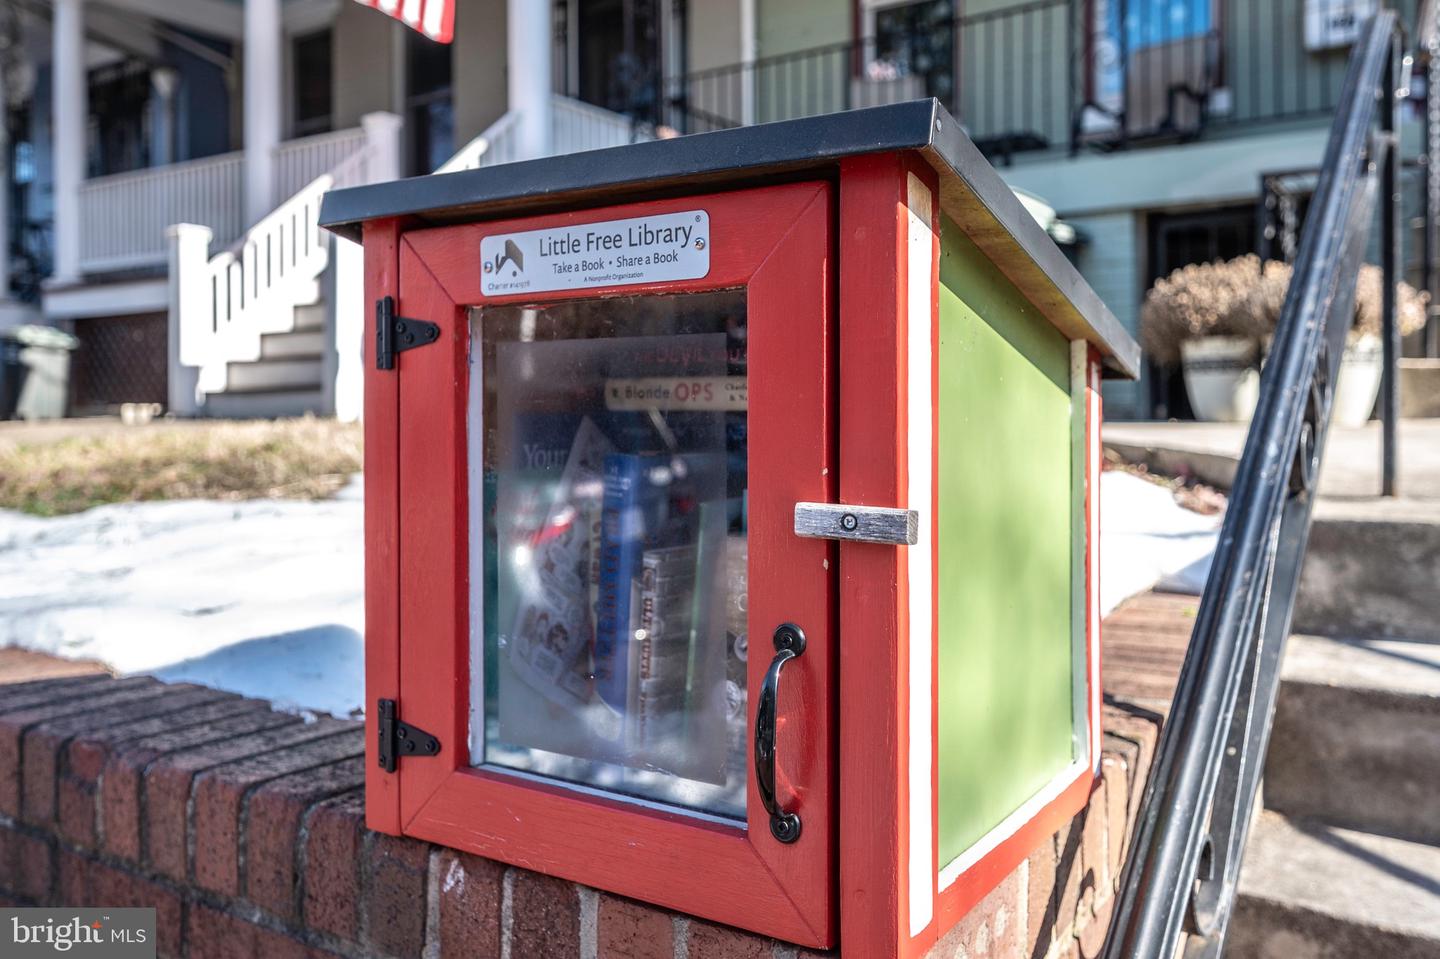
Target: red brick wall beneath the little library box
(244, 827)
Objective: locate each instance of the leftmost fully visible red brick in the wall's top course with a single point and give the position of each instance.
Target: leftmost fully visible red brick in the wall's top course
(47, 745)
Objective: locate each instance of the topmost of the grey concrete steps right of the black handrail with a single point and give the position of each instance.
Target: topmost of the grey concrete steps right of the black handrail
(1373, 569)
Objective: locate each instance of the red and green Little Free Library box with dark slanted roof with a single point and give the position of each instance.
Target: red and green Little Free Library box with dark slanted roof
(732, 522)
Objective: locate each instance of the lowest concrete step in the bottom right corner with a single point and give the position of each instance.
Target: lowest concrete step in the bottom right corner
(1315, 892)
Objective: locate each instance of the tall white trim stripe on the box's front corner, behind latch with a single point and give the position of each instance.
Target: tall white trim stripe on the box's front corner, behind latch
(921, 557)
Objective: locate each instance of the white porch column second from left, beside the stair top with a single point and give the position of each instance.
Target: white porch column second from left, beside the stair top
(263, 104)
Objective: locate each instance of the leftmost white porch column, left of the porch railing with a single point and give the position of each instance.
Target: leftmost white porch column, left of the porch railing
(70, 110)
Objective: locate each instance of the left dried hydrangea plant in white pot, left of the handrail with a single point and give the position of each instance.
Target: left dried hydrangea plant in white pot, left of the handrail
(1200, 319)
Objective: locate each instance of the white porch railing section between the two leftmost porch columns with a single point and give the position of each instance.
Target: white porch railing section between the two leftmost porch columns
(125, 217)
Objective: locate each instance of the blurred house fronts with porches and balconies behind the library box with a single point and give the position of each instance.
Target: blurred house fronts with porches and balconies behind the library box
(165, 162)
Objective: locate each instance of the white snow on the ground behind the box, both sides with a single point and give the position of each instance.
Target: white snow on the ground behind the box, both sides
(266, 598)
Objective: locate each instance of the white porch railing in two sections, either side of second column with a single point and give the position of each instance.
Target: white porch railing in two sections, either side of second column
(125, 217)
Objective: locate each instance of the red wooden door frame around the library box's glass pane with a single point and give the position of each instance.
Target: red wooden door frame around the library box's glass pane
(777, 243)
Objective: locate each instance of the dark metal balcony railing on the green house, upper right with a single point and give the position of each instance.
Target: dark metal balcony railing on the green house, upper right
(1059, 74)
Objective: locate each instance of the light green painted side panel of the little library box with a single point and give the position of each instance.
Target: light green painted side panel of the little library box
(1006, 459)
